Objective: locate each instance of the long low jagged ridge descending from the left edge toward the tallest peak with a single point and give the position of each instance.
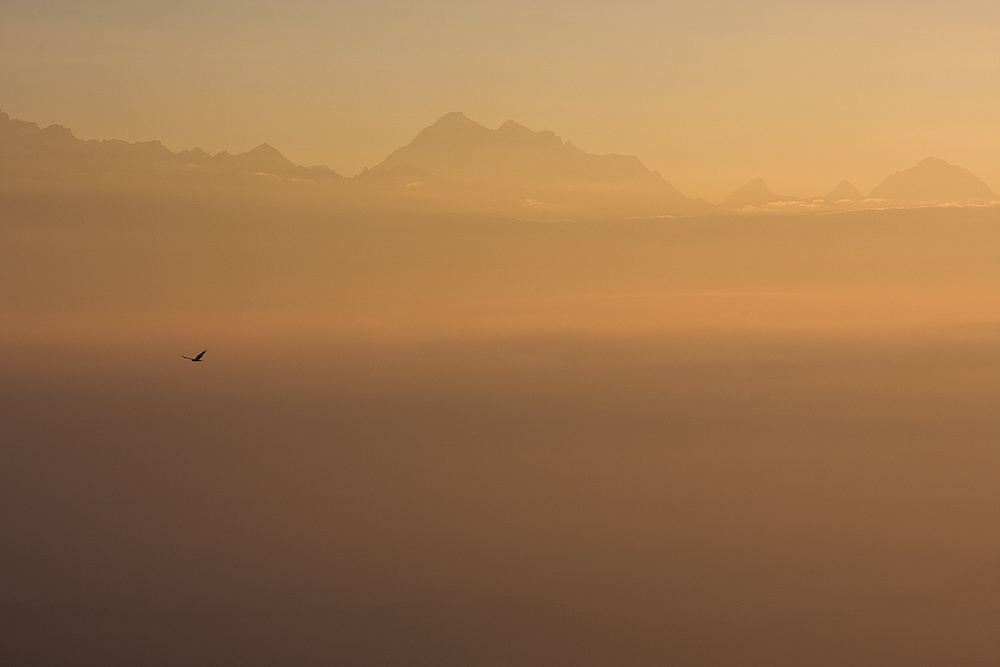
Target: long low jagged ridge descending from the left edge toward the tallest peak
(28, 151)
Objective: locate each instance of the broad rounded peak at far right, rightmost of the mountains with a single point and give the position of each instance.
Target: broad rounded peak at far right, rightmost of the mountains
(933, 180)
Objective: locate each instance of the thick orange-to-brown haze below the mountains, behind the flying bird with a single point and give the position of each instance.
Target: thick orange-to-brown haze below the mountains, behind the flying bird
(457, 440)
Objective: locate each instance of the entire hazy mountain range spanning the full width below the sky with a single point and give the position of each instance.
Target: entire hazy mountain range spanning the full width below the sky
(454, 163)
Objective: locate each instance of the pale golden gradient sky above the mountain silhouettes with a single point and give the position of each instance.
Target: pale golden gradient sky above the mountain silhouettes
(711, 93)
